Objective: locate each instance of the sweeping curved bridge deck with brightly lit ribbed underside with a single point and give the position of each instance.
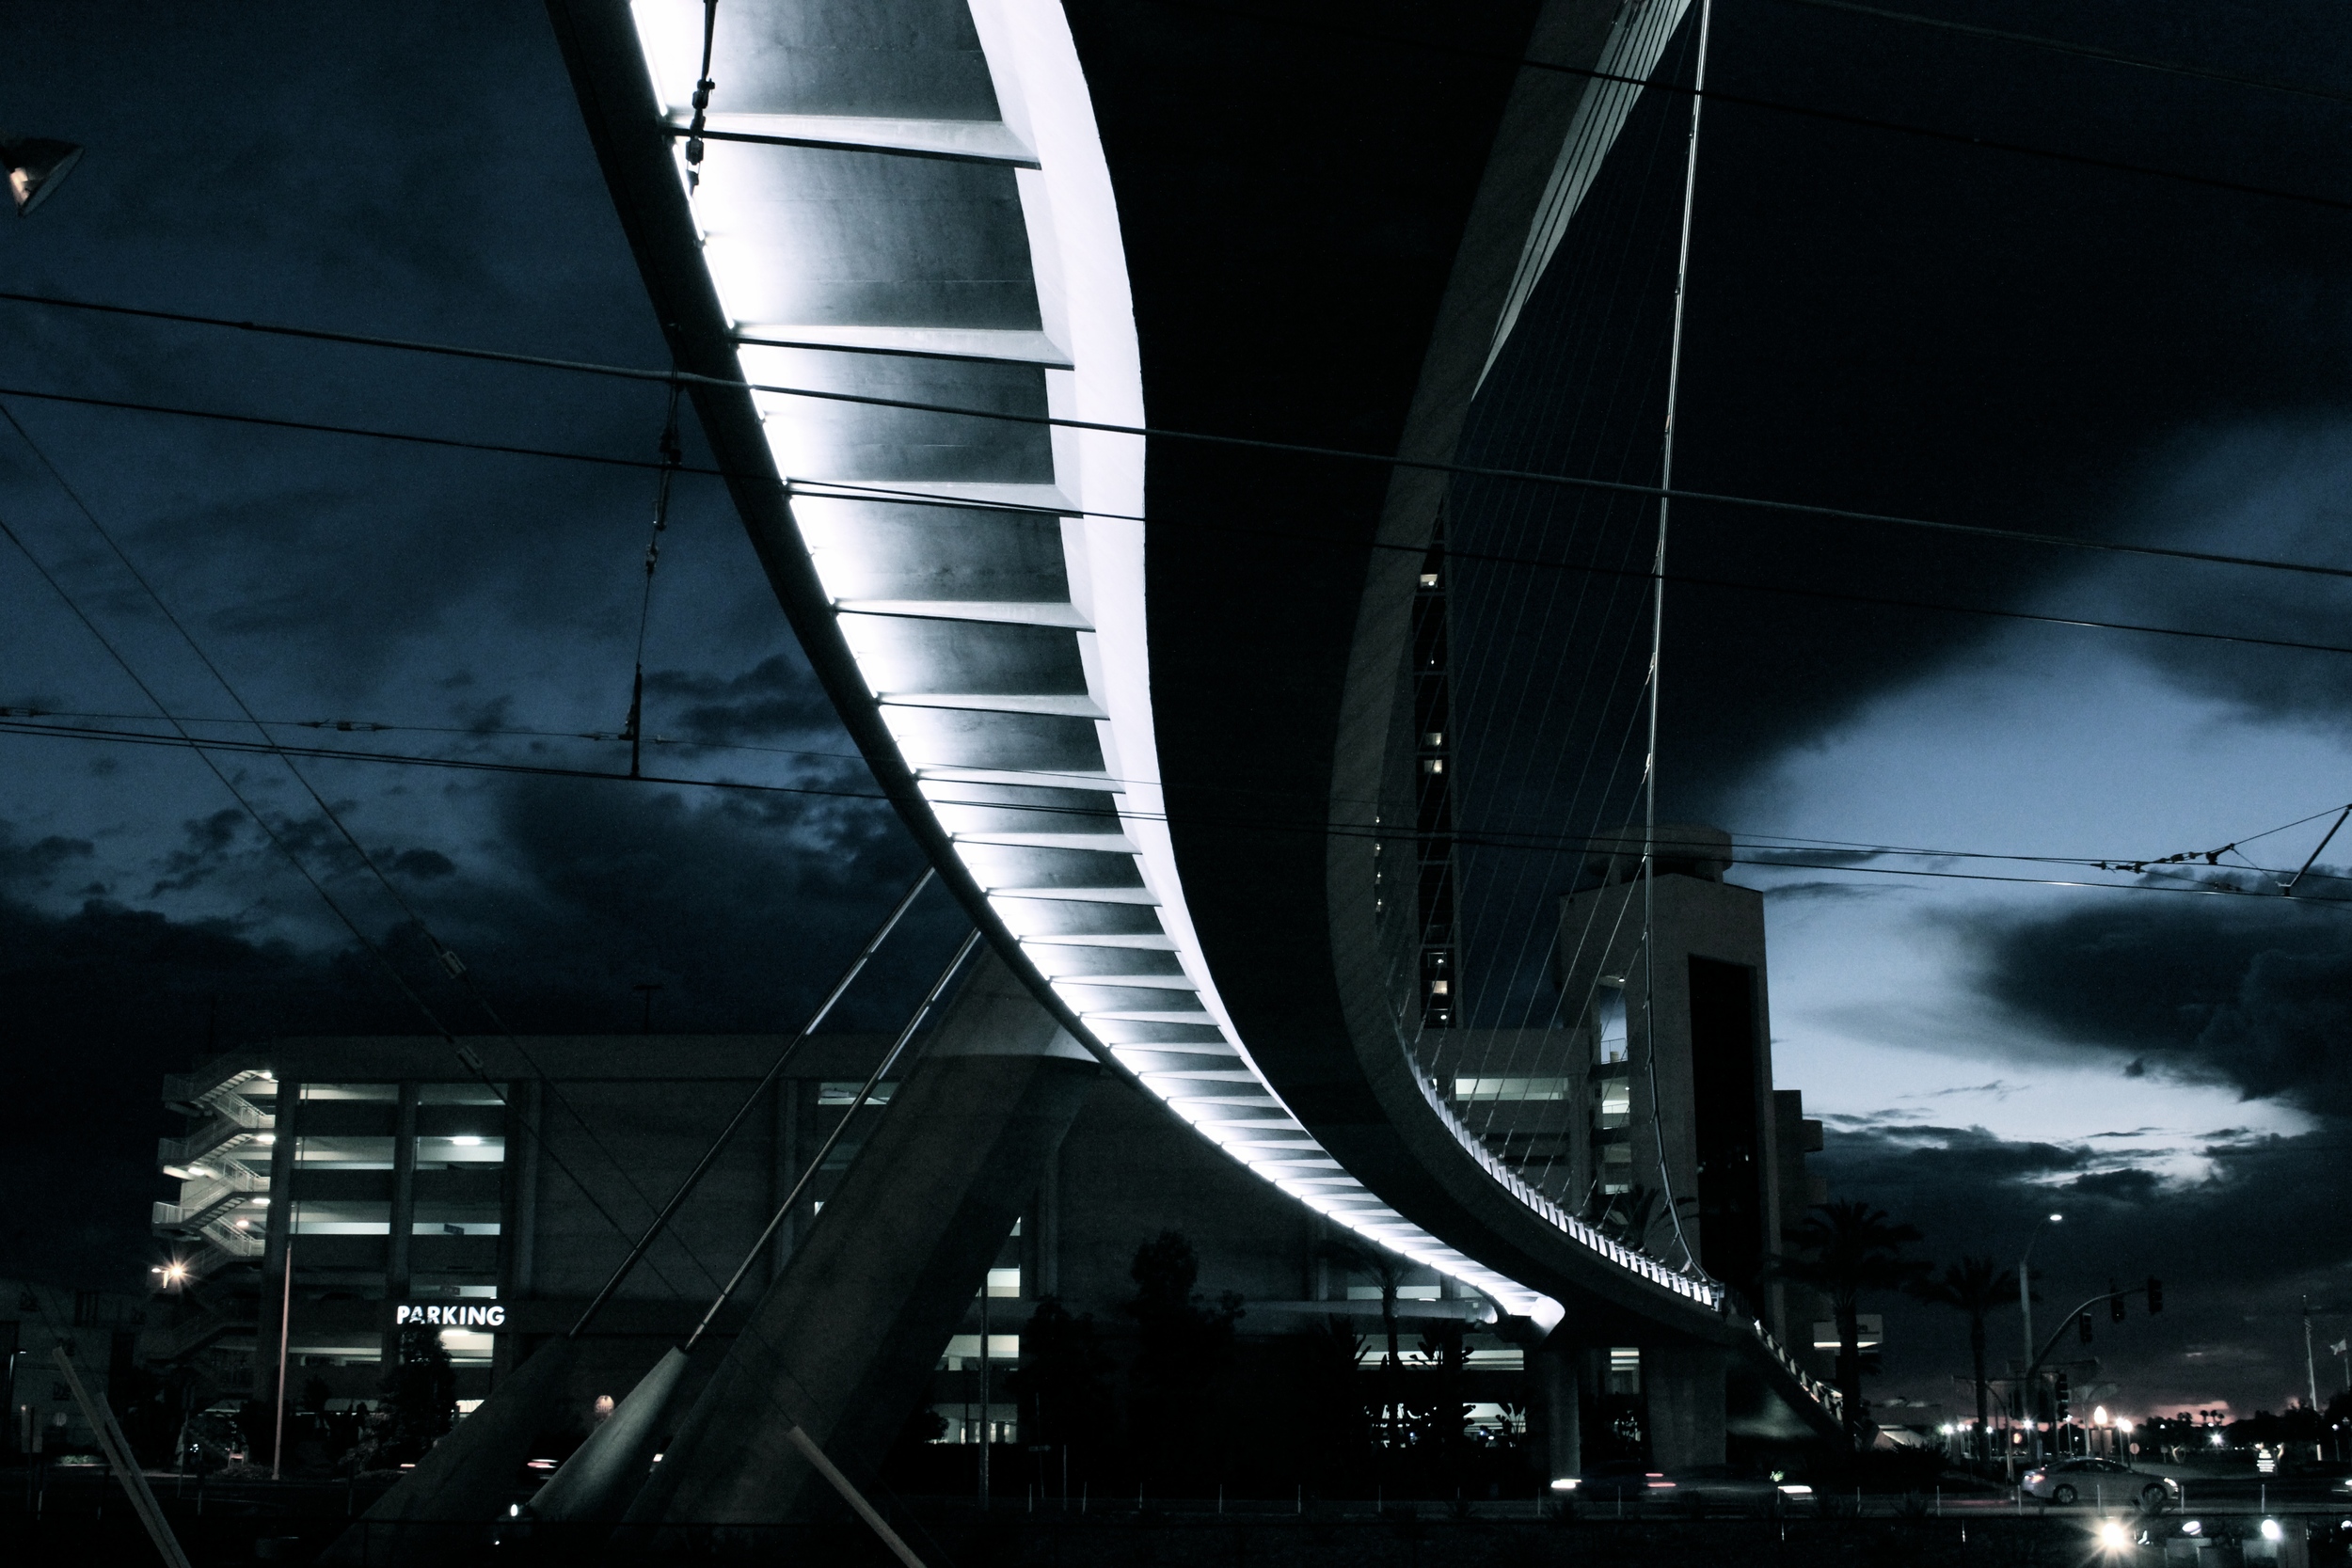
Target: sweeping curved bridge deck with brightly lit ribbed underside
(1128, 215)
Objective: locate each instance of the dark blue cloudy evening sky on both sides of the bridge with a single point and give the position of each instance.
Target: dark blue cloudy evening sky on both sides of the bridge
(1878, 321)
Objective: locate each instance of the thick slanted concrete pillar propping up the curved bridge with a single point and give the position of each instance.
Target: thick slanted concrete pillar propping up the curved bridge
(846, 1341)
